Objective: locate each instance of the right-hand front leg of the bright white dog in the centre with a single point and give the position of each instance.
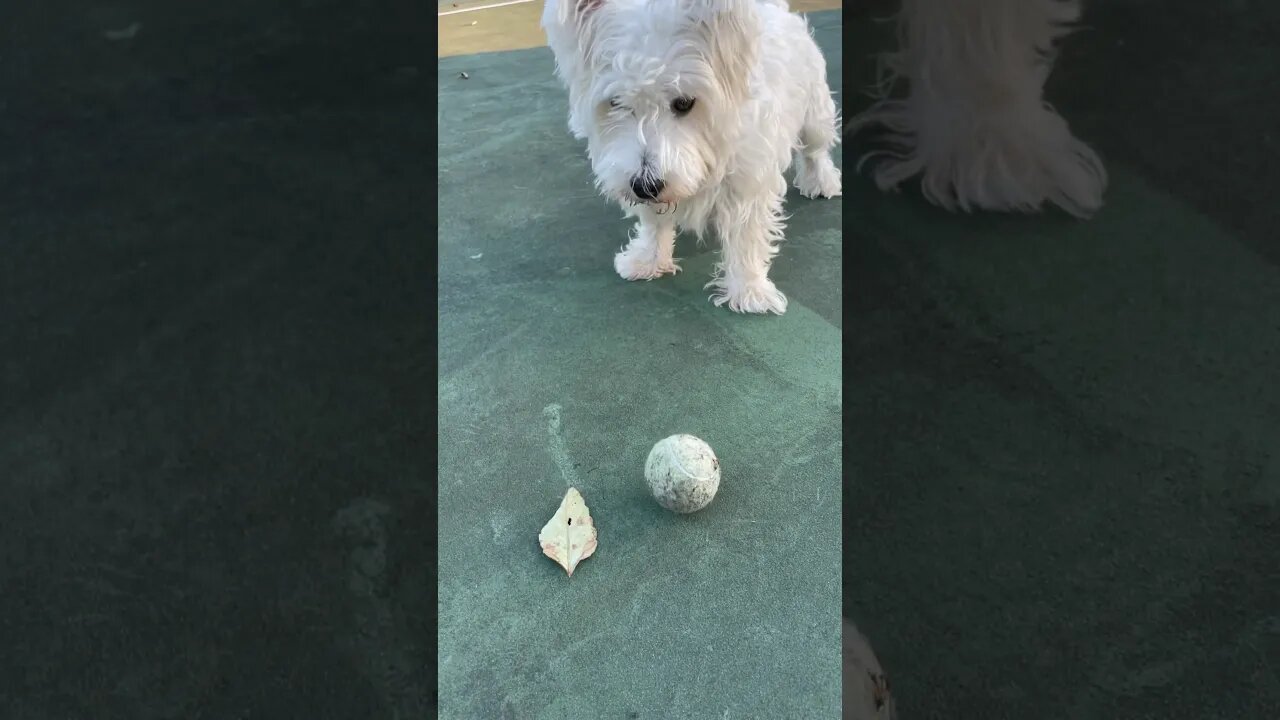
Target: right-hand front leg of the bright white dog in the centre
(751, 230)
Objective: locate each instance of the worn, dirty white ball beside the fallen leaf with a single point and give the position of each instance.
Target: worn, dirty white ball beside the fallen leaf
(683, 473)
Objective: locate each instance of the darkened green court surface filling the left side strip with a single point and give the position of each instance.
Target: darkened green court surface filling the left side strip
(217, 395)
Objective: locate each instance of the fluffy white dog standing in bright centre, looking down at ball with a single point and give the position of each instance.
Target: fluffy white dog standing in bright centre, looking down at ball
(693, 111)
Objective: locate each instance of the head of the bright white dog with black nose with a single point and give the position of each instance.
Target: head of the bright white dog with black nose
(662, 89)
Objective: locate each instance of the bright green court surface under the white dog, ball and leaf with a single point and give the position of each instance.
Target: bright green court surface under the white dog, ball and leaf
(556, 373)
